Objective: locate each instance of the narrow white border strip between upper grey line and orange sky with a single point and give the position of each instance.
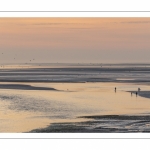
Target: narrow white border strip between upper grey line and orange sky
(74, 14)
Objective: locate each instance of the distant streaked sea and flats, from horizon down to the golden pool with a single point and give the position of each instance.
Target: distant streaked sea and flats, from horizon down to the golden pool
(75, 73)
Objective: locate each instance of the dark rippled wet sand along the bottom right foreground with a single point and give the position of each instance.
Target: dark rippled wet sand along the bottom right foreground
(101, 124)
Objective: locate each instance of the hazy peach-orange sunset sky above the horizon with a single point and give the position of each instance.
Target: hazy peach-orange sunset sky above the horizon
(75, 40)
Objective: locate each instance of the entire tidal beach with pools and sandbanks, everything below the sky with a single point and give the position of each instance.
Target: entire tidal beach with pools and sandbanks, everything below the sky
(75, 98)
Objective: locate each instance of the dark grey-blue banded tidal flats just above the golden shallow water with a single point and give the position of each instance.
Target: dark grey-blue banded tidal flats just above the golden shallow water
(122, 74)
